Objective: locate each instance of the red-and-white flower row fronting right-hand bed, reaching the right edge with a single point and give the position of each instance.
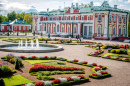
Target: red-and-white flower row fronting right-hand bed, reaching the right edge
(116, 58)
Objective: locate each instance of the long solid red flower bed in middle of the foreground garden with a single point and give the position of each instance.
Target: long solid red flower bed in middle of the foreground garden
(41, 67)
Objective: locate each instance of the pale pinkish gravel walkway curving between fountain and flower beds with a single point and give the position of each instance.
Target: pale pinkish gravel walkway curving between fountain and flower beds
(120, 70)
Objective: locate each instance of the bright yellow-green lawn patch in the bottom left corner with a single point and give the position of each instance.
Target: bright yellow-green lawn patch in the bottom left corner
(16, 80)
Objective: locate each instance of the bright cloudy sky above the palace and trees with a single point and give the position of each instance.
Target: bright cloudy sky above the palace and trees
(7, 6)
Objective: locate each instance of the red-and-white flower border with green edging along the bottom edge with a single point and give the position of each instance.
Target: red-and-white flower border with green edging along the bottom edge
(63, 81)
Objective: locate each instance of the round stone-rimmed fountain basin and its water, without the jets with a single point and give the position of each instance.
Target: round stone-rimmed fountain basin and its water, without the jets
(43, 48)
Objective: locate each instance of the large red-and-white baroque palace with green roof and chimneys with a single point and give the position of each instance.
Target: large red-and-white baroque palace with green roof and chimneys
(102, 22)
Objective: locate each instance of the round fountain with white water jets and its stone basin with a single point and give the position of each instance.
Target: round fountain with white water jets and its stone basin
(30, 47)
